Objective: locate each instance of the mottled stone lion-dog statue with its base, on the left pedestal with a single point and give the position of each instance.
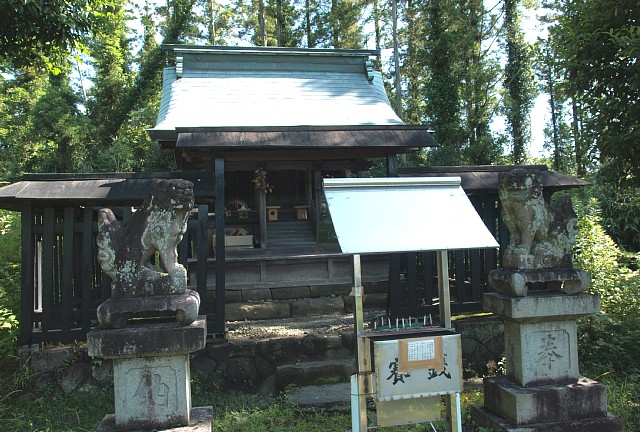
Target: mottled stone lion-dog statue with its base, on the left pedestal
(126, 250)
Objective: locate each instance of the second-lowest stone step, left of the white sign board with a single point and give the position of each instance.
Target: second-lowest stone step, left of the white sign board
(314, 373)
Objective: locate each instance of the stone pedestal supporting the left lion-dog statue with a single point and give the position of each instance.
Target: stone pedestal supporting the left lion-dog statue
(151, 375)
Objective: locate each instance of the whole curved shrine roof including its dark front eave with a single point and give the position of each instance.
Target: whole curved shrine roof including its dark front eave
(226, 97)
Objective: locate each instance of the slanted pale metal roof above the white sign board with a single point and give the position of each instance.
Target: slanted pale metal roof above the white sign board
(404, 214)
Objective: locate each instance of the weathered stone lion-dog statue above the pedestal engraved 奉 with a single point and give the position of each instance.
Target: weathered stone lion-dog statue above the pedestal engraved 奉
(542, 237)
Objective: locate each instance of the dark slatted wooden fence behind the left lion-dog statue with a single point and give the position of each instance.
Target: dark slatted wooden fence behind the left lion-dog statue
(62, 283)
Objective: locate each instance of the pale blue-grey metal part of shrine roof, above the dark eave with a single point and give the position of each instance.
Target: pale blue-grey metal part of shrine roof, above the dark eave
(253, 88)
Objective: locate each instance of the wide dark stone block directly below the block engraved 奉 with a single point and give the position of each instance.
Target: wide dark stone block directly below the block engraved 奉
(545, 404)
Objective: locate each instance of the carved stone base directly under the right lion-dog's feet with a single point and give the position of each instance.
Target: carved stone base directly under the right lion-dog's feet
(517, 282)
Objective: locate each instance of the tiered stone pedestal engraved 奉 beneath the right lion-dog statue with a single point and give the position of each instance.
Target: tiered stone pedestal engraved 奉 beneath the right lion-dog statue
(543, 390)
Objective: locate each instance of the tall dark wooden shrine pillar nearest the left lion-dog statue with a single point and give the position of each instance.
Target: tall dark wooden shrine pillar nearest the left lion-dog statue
(218, 328)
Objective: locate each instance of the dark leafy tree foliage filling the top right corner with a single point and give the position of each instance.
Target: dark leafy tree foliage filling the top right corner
(596, 43)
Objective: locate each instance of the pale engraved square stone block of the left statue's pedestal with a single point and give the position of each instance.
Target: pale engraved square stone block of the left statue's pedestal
(152, 392)
